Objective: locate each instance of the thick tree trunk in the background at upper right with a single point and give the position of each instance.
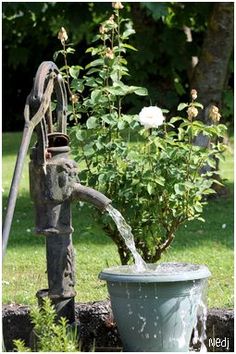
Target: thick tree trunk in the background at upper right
(211, 73)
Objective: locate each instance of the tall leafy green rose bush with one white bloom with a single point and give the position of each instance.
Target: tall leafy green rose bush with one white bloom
(147, 163)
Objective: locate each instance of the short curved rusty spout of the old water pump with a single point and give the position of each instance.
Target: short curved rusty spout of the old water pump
(90, 195)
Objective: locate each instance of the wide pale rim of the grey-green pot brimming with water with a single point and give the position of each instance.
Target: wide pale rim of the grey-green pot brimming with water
(186, 272)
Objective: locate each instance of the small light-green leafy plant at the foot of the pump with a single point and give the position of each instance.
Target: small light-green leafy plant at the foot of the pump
(49, 335)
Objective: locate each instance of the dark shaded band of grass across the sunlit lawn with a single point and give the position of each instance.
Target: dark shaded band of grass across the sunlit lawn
(218, 227)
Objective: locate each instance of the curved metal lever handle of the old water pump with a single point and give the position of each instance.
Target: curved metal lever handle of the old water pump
(37, 105)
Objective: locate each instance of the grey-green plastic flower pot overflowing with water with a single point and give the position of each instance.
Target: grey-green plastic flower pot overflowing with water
(156, 310)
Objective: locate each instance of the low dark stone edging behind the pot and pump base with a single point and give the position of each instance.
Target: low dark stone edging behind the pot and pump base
(98, 331)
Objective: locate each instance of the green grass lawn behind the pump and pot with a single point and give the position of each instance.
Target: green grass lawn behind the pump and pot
(24, 268)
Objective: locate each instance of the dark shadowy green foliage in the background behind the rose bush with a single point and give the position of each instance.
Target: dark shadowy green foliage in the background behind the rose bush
(163, 62)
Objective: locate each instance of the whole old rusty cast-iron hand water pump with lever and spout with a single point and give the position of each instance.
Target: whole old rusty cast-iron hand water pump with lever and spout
(54, 184)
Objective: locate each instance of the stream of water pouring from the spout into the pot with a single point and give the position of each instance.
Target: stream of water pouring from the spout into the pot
(126, 232)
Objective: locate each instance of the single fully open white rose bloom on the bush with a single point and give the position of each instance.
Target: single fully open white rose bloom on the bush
(151, 117)
